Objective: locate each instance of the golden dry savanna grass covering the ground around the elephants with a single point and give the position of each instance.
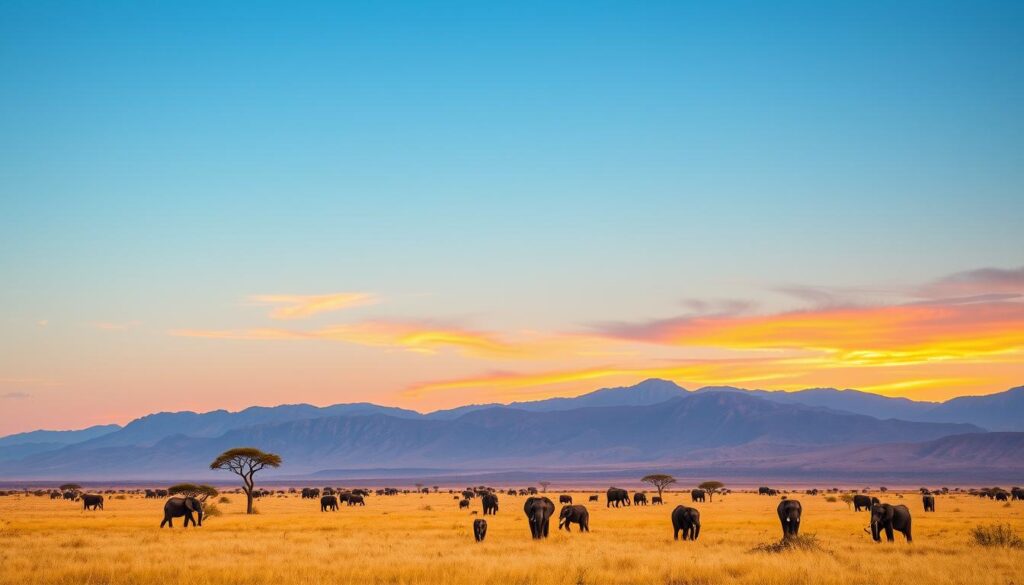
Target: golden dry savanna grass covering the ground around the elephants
(428, 539)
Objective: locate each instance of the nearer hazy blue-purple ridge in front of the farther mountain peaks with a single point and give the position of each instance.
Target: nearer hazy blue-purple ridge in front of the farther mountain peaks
(500, 437)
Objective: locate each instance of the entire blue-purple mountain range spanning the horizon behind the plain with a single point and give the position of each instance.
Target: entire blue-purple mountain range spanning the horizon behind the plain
(655, 425)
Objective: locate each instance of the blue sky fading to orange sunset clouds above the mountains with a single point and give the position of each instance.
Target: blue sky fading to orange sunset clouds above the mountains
(219, 205)
